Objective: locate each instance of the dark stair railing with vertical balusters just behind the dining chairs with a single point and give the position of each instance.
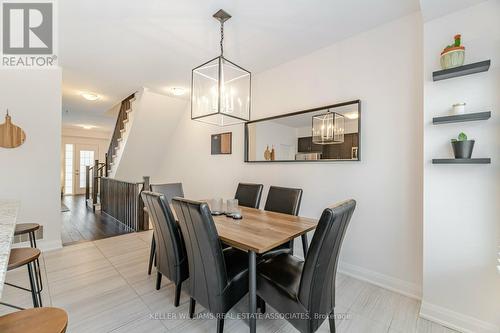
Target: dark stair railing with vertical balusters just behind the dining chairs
(122, 201)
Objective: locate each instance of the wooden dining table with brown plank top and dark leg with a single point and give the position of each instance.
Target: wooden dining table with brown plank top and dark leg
(257, 232)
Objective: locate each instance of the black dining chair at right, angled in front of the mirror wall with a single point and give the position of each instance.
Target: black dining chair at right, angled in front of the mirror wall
(291, 285)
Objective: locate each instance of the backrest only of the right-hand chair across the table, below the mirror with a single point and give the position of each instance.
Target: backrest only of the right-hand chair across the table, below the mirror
(283, 200)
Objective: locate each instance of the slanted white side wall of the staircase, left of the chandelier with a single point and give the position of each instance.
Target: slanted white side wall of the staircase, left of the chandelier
(155, 117)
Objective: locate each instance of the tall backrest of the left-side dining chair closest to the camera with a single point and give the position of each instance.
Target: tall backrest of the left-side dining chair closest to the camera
(207, 268)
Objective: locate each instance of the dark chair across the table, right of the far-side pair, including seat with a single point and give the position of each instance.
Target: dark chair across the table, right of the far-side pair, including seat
(287, 201)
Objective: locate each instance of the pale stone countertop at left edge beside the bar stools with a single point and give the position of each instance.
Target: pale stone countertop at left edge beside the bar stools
(8, 216)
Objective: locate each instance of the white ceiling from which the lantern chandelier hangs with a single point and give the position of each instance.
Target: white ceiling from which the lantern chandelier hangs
(115, 47)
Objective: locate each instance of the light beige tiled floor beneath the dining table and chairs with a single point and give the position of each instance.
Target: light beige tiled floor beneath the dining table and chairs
(104, 287)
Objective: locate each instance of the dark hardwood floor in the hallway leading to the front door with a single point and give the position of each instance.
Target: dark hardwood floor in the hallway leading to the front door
(81, 224)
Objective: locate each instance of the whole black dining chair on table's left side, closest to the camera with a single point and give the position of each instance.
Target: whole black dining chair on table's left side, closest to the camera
(218, 278)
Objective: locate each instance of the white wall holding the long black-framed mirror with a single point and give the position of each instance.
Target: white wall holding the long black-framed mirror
(383, 68)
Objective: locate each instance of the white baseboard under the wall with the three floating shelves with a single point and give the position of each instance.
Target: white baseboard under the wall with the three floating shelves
(455, 320)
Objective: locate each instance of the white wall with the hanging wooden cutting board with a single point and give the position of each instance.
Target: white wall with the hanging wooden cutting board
(31, 172)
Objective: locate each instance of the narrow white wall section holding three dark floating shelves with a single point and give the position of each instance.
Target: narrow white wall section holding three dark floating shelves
(461, 202)
